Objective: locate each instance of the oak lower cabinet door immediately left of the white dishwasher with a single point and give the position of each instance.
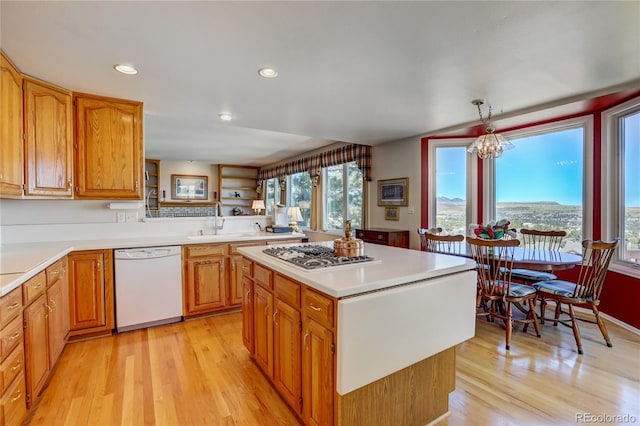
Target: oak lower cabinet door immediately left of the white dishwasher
(87, 290)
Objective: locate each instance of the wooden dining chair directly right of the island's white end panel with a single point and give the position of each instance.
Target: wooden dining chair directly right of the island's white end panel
(494, 260)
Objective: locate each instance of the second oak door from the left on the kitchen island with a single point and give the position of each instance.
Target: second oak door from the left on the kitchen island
(263, 329)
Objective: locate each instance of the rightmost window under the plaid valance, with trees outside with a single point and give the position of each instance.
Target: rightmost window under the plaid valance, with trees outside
(342, 195)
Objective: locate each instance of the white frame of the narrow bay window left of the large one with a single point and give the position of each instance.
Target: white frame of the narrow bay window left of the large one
(472, 177)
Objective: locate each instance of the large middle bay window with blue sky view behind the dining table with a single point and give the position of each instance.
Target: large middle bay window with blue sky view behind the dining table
(540, 183)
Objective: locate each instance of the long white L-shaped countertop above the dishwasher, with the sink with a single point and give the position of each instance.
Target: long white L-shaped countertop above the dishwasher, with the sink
(19, 262)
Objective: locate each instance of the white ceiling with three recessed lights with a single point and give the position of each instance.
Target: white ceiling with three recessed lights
(362, 72)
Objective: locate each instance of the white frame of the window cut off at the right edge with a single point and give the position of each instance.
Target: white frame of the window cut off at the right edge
(612, 168)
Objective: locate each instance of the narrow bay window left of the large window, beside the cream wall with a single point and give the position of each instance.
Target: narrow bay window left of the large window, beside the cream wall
(452, 180)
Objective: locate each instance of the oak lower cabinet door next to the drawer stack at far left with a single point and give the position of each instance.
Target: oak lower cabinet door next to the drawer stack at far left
(36, 347)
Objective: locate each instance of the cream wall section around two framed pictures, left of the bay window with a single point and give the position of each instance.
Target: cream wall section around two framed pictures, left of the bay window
(394, 160)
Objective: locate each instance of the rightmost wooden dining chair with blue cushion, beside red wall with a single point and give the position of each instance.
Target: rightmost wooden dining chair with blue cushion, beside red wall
(586, 290)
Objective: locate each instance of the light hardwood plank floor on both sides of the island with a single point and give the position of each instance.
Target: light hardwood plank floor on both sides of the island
(199, 373)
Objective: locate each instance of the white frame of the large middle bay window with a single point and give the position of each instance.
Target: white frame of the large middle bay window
(586, 123)
